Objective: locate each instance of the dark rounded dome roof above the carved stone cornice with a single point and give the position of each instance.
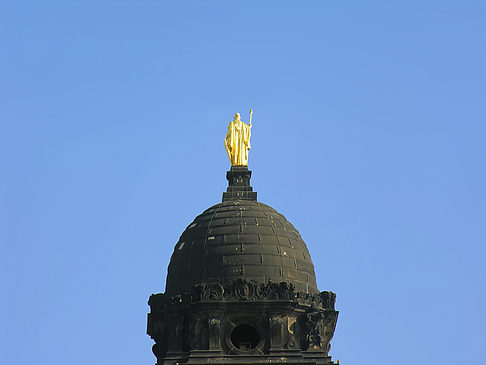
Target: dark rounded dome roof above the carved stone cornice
(240, 239)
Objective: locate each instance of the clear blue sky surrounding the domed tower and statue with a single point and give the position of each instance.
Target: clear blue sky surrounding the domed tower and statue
(368, 135)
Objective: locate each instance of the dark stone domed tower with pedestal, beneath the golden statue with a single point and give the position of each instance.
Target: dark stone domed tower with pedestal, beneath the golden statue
(241, 289)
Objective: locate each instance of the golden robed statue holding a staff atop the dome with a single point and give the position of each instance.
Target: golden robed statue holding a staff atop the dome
(237, 141)
